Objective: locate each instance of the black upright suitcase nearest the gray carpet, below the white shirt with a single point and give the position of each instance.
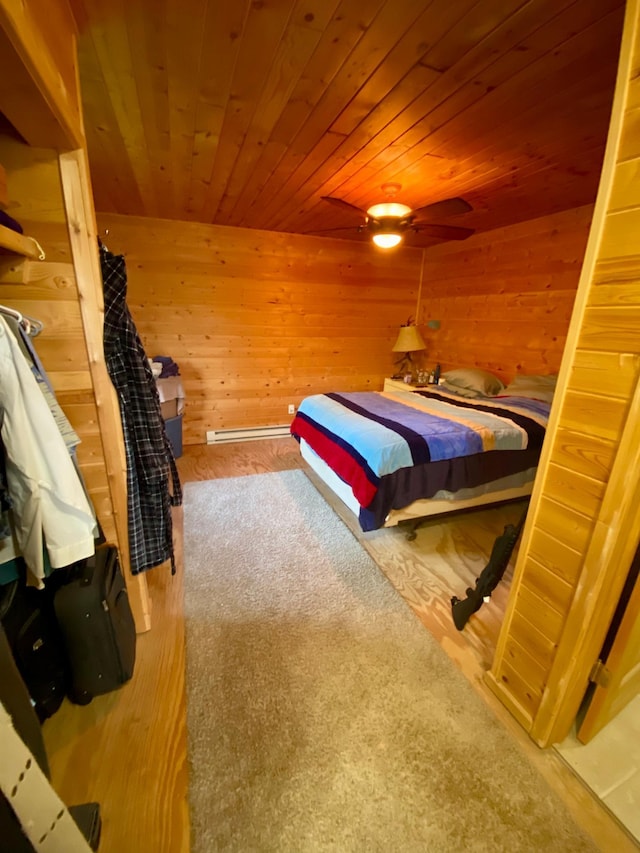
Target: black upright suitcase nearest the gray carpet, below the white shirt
(97, 625)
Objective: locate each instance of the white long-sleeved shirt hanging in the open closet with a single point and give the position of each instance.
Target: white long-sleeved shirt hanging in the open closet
(47, 495)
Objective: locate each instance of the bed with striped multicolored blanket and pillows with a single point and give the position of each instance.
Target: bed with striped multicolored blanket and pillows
(396, 455)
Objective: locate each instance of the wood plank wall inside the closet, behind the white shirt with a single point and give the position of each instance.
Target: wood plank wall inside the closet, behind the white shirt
(47, 290)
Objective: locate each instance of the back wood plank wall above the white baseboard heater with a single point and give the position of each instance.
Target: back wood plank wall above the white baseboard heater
(258, 320)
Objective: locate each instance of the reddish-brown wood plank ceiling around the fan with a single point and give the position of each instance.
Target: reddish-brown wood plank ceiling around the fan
(246, 113)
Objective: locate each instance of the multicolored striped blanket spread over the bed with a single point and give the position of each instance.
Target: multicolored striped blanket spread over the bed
(372, 439)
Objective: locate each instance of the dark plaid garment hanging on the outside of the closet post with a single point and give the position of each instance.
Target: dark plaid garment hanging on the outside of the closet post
(150, 462)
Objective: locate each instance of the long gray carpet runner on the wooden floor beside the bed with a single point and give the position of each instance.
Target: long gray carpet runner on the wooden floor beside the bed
(322, 716)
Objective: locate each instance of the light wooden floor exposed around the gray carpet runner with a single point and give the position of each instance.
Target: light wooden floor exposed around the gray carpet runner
(127, 750)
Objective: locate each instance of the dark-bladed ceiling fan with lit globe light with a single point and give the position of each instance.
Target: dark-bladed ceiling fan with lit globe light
(389, 221)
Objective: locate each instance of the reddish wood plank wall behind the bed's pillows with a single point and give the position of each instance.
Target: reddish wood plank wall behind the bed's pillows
(504, 298)
